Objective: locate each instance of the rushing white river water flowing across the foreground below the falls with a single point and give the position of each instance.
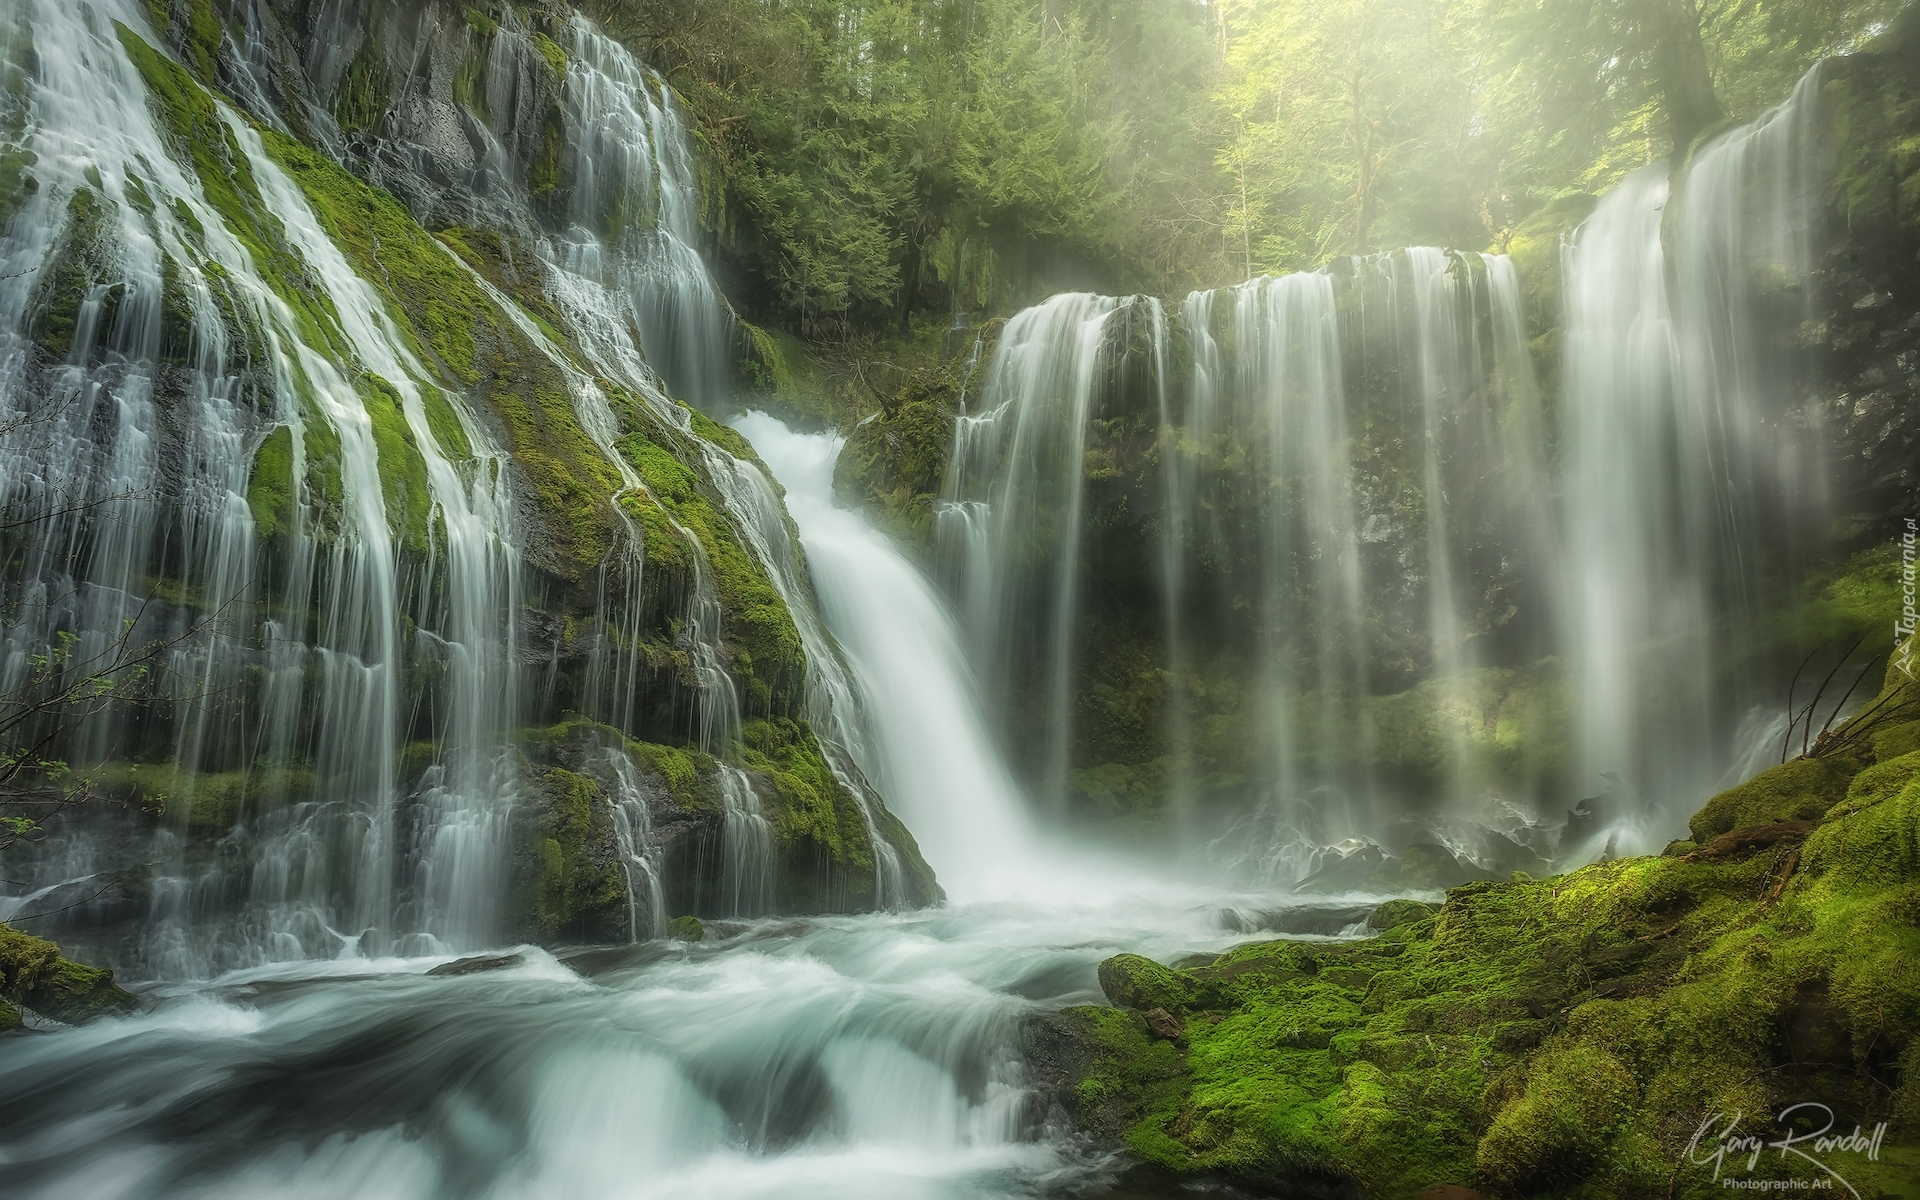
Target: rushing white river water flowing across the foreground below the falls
(855, 1057)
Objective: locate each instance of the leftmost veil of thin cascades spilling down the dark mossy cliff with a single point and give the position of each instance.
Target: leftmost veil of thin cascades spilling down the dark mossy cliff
(308, 642)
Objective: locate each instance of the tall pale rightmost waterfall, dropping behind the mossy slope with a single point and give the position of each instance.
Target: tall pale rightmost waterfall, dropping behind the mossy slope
(1694, 471)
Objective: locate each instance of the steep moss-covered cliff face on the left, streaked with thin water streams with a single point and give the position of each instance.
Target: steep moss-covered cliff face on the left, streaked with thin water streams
(373, 339)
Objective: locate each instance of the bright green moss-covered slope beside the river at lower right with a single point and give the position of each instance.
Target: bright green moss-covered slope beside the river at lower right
(1554, 1038)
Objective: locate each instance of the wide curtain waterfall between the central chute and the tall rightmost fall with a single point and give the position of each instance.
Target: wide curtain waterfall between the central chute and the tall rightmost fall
(1274, 540)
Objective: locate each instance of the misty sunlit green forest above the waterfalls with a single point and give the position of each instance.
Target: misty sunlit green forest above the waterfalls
(1149, 147)
